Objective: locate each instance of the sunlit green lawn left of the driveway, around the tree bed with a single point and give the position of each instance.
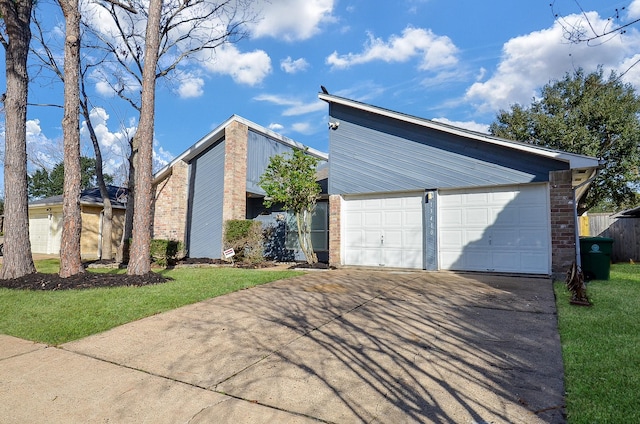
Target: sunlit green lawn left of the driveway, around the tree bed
(55, 317)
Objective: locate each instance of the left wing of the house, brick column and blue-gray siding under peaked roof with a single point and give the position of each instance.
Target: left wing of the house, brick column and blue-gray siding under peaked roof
(216, 180)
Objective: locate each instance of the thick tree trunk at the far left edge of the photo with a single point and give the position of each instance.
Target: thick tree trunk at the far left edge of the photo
(17, 260)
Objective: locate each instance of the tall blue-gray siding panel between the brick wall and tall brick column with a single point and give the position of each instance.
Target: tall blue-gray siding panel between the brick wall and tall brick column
(205, 204)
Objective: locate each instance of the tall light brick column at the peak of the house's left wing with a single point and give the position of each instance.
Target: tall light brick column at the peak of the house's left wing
(235, 172)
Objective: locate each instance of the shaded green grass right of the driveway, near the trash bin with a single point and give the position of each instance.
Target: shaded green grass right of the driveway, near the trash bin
(601, 349)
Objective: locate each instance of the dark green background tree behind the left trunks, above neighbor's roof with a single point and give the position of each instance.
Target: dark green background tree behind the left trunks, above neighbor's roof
(45, 184)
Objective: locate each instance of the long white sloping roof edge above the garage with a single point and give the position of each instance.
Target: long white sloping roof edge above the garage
(575, 161)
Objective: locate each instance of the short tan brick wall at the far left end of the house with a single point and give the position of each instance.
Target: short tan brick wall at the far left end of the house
(170, 204)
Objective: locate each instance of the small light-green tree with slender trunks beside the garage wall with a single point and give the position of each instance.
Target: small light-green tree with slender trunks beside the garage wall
(290, 179)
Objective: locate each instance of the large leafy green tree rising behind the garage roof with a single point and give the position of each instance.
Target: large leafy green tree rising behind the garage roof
(585, 114)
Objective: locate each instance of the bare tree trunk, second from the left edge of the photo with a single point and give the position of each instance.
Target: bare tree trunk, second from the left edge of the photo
(70, 260)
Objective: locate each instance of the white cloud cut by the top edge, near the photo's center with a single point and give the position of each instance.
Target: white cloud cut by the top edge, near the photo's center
(292, 20)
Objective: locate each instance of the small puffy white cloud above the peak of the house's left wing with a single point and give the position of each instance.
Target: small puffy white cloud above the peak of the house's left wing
(245, 68)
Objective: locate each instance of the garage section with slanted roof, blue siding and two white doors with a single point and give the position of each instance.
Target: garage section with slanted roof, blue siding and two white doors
(408, 192)
